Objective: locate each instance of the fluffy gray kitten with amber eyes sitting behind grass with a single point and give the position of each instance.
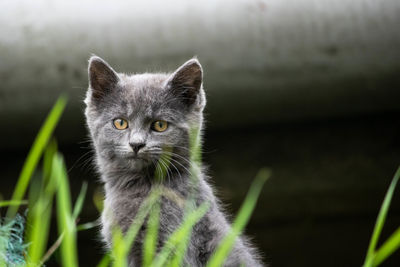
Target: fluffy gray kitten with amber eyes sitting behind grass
(132, 119)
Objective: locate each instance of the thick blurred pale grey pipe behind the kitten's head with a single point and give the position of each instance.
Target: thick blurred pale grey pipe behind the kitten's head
(264, 61)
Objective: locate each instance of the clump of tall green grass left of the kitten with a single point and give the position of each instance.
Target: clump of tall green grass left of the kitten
(51, 181)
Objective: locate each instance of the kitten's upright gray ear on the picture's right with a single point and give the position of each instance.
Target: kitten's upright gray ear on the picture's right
(186, 83)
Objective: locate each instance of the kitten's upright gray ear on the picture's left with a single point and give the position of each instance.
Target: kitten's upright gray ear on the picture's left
(102, 78)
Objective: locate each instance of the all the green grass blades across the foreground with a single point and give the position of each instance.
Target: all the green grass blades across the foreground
(31, 248)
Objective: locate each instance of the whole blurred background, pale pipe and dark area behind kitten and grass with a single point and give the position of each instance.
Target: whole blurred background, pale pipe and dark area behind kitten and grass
(307, 88)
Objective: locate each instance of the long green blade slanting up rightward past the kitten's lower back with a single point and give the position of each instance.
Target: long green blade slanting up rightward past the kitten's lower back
(222, 251)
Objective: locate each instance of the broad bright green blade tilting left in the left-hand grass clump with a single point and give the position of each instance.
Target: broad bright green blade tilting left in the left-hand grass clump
(66, 223)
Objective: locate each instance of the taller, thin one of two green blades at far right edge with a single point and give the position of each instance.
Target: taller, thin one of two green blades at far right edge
(380, 221)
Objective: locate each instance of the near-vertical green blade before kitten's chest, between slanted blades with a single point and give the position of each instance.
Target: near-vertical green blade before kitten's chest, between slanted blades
(150, 242)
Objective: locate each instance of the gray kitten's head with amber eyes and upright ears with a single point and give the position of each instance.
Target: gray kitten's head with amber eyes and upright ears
(133, 118)
